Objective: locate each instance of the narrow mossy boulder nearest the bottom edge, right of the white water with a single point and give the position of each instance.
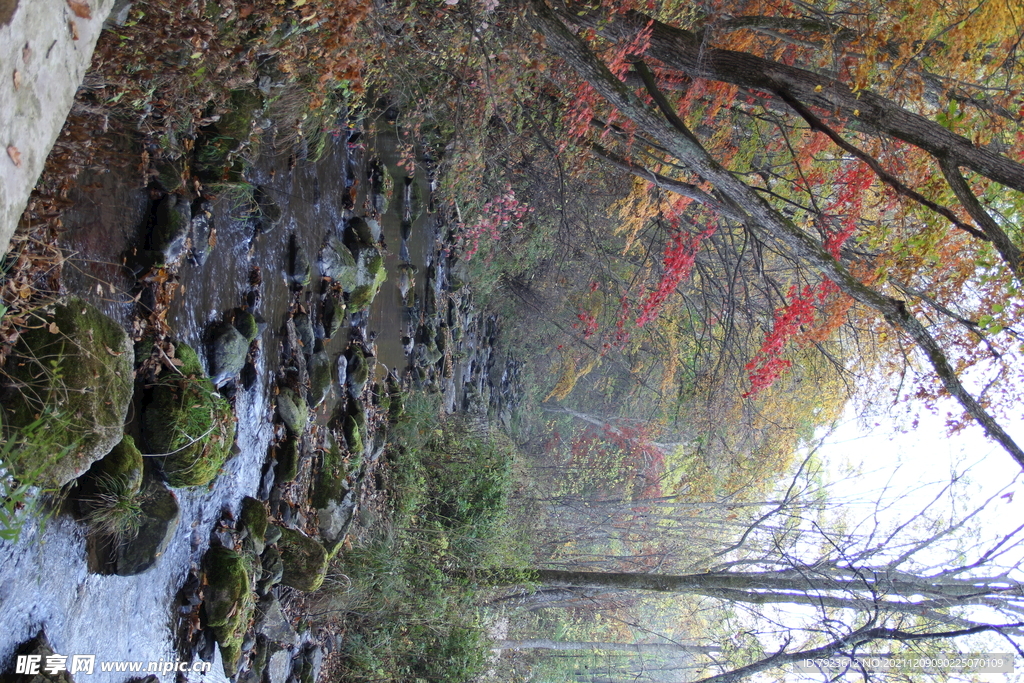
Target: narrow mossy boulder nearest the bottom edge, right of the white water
(229, 601)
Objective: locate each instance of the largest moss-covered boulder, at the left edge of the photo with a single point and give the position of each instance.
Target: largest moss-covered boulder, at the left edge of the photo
(78, 366)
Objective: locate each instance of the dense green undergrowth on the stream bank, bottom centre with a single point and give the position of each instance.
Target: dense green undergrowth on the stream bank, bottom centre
(406, 594)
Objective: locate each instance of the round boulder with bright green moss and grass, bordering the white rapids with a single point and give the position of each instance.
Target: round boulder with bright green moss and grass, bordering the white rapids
(189, 423)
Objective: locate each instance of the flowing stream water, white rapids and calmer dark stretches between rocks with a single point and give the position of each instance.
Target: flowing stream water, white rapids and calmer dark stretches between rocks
(45, 579)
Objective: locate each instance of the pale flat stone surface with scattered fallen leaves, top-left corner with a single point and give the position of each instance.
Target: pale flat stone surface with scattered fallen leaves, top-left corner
(36, 41)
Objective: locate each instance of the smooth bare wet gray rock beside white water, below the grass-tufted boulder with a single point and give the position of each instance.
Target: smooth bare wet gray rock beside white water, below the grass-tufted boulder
(160, 521)
